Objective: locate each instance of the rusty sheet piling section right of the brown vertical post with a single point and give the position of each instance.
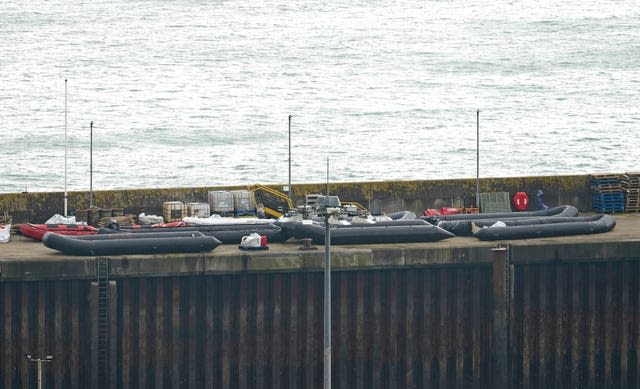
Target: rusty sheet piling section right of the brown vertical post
(576, 325)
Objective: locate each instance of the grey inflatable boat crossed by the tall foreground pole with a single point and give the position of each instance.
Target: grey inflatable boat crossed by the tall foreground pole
(372, 234)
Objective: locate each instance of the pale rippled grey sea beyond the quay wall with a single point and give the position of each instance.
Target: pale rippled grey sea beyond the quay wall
(192, 93)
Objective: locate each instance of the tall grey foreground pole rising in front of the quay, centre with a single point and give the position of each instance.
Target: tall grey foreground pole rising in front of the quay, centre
(327, 295)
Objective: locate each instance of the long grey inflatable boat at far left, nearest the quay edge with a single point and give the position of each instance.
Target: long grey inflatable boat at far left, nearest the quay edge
(125, 244)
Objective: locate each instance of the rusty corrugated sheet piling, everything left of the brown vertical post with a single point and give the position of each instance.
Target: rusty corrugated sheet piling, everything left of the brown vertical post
(410, 328)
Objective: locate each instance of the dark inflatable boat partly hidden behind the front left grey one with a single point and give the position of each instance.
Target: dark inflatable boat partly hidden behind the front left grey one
(225, 233)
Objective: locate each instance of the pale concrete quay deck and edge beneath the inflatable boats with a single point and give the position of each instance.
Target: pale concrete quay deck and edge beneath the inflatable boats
(25, 259)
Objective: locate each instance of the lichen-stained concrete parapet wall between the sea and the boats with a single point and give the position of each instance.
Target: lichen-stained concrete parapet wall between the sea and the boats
(378, 196)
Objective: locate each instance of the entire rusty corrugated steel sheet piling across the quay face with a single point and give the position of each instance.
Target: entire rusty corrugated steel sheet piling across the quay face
(570, 325)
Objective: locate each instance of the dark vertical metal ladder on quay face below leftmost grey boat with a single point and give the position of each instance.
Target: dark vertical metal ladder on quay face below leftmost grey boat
(102, 276)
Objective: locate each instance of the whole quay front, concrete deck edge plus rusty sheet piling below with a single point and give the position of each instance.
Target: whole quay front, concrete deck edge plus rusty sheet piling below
(559, 314)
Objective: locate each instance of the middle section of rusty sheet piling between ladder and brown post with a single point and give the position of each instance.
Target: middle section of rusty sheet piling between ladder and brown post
(392, 328)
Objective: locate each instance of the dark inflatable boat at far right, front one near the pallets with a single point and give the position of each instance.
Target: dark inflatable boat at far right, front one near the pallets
(590, 225)
